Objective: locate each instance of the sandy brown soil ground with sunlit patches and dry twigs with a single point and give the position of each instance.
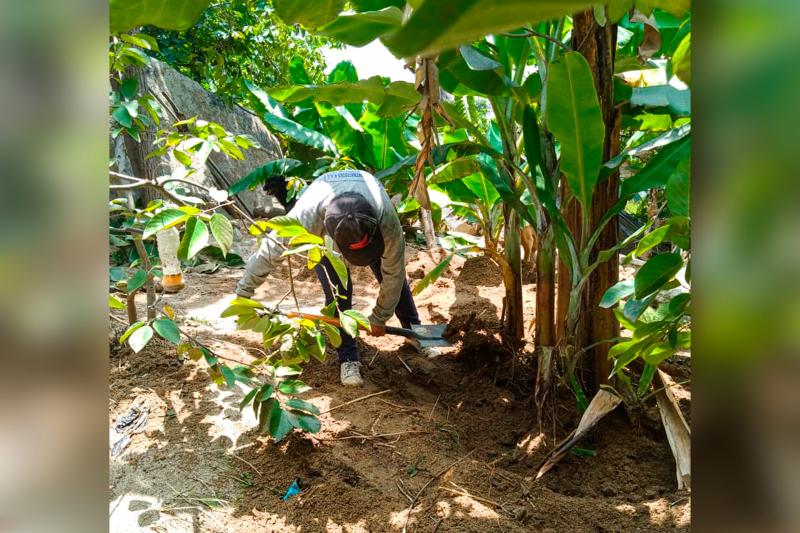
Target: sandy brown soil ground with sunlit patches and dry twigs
(200, 465)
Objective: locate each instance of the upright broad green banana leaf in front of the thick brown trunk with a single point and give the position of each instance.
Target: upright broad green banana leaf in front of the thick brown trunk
(573, 116)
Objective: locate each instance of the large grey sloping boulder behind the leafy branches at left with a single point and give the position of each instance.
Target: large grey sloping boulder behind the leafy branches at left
(181, 98)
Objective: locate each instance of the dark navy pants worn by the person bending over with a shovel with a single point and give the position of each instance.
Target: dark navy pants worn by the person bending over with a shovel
(406, 311)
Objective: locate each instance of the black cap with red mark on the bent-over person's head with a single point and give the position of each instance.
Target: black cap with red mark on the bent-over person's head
(352, 222)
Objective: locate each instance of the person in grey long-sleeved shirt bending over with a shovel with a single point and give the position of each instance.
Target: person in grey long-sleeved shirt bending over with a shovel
(352, 207)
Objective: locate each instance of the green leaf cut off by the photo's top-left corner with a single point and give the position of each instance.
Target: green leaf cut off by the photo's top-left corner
(177, 15)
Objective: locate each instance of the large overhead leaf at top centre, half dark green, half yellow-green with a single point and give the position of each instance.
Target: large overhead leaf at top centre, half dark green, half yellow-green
(442, 24)
